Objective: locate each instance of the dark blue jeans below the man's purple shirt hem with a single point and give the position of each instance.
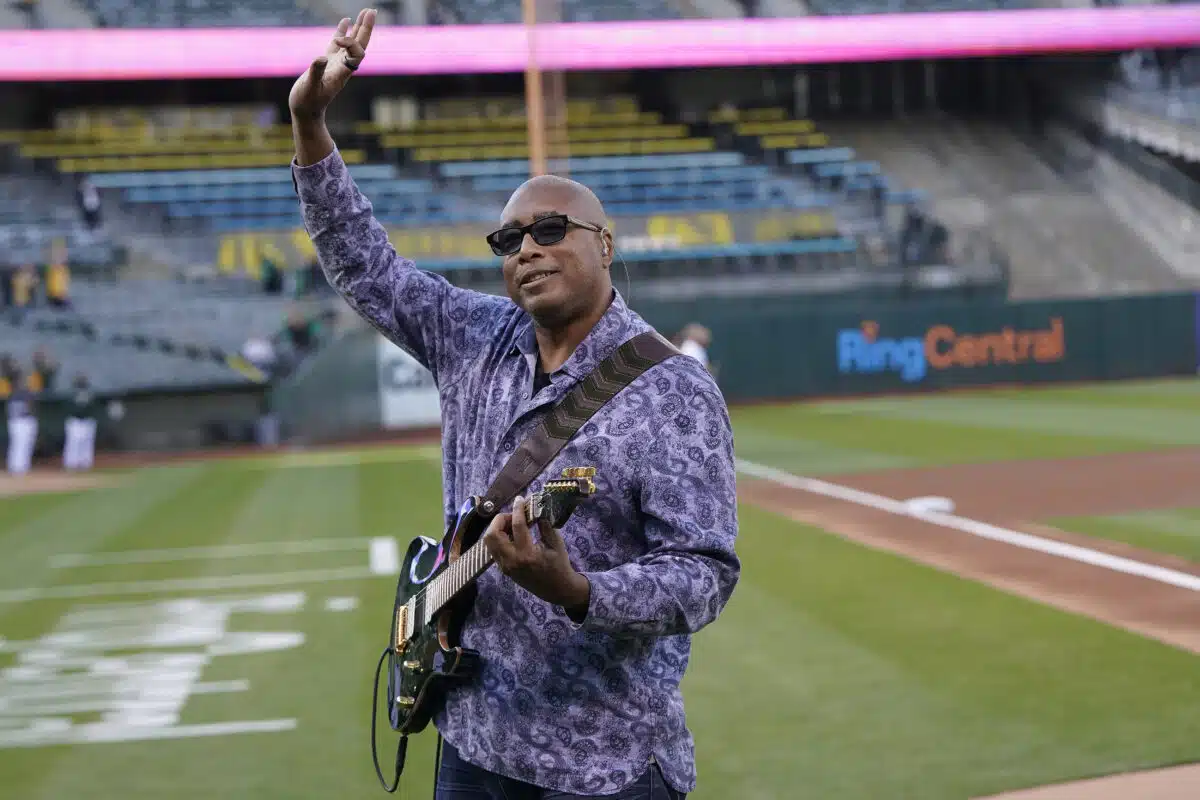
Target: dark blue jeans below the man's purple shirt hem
(458, 780)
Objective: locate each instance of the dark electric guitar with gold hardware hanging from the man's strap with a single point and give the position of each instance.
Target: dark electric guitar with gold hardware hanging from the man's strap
(434, 597)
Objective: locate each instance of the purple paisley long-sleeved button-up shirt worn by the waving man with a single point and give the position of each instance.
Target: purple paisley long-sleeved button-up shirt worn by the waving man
(575, 708)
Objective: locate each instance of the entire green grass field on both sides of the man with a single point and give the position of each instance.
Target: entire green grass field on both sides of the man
(837, 672)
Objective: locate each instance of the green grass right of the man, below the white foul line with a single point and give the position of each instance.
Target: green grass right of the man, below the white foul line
(873, 677)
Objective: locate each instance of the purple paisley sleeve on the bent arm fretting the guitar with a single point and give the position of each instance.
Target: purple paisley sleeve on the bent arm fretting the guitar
(691, 512)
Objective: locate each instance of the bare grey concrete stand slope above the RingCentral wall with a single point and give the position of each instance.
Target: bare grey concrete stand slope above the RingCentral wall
(1060, 240)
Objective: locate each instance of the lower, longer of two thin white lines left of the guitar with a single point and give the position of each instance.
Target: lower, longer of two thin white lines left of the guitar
(185, 585)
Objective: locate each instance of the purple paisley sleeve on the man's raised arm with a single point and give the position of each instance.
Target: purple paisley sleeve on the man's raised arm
(439, 324)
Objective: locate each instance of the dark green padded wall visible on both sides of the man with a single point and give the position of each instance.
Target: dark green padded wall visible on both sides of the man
(793, 347)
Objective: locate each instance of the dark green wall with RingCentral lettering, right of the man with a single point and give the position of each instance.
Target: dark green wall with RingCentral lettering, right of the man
(943, 345)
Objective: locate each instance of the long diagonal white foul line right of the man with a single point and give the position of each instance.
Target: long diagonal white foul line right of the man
(974, 527)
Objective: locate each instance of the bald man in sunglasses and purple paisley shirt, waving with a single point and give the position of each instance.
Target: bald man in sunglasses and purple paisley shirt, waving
(585, 634)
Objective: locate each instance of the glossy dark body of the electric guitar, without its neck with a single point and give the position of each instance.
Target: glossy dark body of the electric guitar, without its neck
(433, 660)
